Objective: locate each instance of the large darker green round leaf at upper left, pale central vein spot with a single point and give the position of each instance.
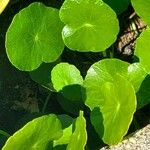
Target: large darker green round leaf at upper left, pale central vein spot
(34, 36)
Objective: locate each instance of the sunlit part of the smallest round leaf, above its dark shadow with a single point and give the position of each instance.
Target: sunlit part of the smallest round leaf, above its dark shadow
(65, 74)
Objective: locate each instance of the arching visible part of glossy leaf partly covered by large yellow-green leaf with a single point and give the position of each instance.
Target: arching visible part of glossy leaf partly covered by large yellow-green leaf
(100, 73)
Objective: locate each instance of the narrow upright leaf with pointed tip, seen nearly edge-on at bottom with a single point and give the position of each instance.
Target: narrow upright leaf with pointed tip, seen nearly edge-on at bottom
(79, 137)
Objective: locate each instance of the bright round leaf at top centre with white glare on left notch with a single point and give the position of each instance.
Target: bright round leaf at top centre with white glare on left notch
(90, 26)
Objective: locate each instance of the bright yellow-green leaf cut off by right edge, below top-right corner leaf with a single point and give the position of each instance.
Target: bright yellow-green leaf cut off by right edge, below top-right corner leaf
(142, 49)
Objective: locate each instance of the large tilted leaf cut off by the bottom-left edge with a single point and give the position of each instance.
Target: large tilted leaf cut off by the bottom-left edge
(36, 135)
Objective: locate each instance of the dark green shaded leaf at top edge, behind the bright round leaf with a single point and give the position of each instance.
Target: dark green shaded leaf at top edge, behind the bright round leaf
(118, 5)
